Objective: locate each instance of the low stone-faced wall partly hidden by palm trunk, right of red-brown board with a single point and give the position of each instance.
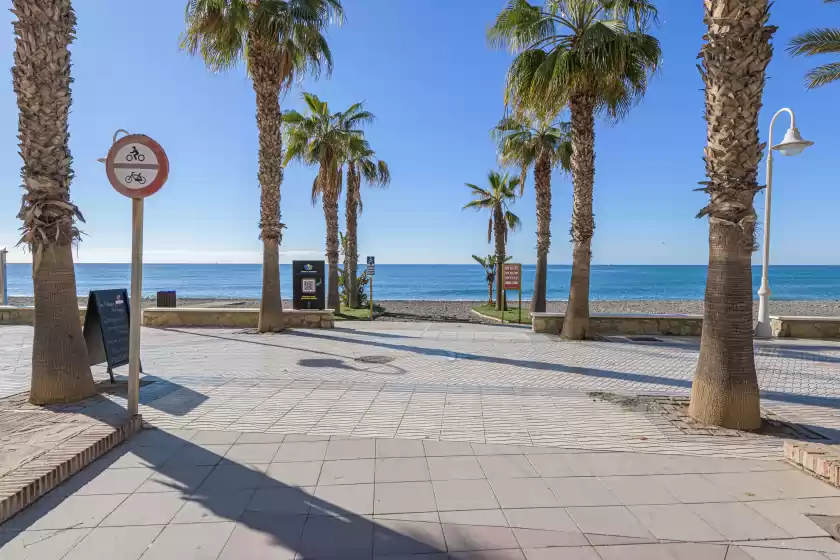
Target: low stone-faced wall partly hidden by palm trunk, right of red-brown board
(630, 324)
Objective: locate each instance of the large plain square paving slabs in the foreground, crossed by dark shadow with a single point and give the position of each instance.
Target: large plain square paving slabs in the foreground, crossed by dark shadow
(230, 495)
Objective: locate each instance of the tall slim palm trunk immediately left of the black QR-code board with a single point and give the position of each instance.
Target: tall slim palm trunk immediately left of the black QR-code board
(265, 70)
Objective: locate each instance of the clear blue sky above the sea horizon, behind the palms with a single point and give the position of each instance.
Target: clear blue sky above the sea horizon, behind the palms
(425, 70)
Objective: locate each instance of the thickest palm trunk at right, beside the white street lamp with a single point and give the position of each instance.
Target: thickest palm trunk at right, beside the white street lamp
(735, 58)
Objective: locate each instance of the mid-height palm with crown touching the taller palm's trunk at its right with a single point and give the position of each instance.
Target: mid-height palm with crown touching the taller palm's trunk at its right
(526, 141)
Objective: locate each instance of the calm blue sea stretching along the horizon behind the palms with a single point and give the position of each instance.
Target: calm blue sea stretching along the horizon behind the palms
(442, 282)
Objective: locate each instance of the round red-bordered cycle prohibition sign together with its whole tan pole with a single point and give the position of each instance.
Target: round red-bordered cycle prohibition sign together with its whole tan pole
(137, 167)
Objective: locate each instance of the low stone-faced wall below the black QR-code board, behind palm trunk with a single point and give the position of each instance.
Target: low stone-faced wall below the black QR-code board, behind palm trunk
(232, 318)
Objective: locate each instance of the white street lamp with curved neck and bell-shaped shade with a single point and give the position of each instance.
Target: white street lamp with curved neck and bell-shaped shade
(792, 145)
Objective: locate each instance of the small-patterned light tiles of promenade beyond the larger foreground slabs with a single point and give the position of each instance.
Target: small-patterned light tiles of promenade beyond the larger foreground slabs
(483, 384)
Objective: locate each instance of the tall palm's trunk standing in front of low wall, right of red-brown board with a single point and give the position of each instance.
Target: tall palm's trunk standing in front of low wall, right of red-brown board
(582, 109)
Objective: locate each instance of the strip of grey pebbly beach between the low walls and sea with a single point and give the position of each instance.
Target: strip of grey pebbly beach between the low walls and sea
(459, 311)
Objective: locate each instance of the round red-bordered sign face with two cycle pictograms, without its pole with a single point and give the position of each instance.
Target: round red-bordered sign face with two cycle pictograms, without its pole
(137, 166)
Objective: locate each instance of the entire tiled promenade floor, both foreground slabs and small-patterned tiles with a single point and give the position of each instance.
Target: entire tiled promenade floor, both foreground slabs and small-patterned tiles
(472, 442)
